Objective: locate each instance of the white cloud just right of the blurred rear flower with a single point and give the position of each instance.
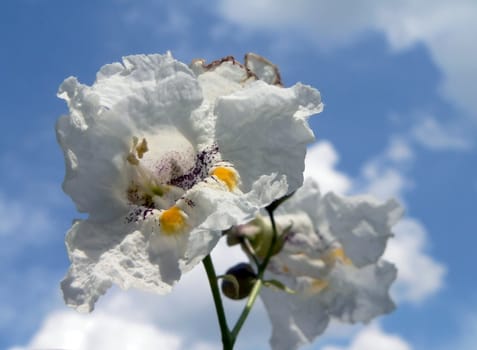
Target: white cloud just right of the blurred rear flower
(419, 276)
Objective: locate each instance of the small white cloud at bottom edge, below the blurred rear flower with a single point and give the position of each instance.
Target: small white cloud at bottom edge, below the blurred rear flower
(374, 338)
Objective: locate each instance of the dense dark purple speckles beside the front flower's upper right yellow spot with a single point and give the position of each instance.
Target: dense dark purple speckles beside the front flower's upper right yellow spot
(203, 162)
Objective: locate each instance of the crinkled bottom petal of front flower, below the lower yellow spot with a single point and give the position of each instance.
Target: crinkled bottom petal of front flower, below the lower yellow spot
(130, 256)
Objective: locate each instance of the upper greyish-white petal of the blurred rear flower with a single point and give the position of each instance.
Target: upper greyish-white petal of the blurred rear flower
(361, 224)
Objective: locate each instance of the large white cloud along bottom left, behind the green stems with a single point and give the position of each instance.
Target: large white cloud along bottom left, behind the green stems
(184, 319)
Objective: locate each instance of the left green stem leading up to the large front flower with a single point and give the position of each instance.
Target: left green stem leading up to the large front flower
(227, 339)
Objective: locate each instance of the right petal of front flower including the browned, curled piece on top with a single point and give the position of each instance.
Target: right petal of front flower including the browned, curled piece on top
(272, 120)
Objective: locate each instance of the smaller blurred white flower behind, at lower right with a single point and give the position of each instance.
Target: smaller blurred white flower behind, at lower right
(330, 258)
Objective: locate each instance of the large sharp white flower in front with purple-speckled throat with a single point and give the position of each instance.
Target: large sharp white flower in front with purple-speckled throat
(163, 157)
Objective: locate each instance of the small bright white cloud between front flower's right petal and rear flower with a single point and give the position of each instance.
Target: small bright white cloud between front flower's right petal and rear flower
(320, 162)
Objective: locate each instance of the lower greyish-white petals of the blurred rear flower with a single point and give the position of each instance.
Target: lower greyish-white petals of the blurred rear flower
(351, 295)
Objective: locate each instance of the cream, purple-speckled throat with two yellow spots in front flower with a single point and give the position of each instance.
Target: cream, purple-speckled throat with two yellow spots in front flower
(162, 168)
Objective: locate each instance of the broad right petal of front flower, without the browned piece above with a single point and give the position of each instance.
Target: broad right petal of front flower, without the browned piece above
(274, 132)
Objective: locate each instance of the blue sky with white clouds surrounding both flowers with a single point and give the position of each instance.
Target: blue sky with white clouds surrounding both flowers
(398, 83)
